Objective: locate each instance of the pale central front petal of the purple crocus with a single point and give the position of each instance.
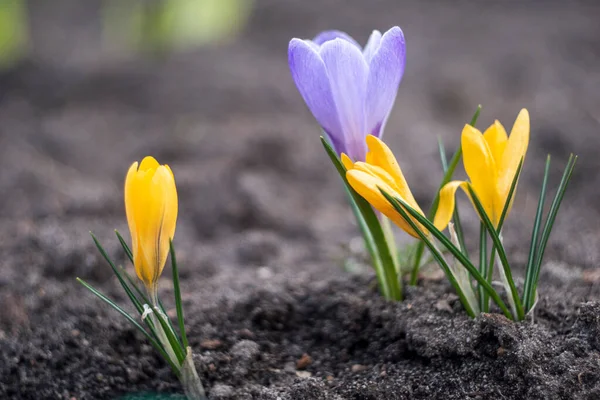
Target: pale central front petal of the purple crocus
(348, 73)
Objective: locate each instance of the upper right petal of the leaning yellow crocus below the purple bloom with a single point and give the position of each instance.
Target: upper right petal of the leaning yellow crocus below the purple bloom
(381, 156)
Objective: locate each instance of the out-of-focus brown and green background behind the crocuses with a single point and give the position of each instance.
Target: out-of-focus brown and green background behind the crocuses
(88, 87)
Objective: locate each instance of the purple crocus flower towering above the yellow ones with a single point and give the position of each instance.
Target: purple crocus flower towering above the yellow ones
(349, 90)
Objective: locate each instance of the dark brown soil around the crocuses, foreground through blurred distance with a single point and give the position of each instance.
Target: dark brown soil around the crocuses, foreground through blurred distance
(264, 230)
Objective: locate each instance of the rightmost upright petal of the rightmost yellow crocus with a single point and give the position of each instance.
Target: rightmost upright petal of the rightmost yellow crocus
(516, 148)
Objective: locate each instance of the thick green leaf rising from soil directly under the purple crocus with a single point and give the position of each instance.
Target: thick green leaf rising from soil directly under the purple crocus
(389, 280)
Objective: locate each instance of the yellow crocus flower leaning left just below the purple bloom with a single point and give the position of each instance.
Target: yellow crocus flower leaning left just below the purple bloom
(381, 170)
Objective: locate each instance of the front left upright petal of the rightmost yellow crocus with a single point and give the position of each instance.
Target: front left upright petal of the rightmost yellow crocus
(481, 169)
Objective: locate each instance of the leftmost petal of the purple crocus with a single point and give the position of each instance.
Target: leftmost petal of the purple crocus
(310, 75)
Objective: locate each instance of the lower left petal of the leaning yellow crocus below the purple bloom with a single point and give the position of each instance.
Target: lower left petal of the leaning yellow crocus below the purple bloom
(368, 187)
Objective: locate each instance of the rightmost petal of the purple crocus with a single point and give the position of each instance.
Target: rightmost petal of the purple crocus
(385, 72)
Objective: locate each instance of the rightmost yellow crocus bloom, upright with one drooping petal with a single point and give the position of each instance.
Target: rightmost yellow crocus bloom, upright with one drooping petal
(491, 161)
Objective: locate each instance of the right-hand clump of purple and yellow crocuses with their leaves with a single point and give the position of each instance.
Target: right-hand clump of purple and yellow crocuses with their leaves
(351, 93)
